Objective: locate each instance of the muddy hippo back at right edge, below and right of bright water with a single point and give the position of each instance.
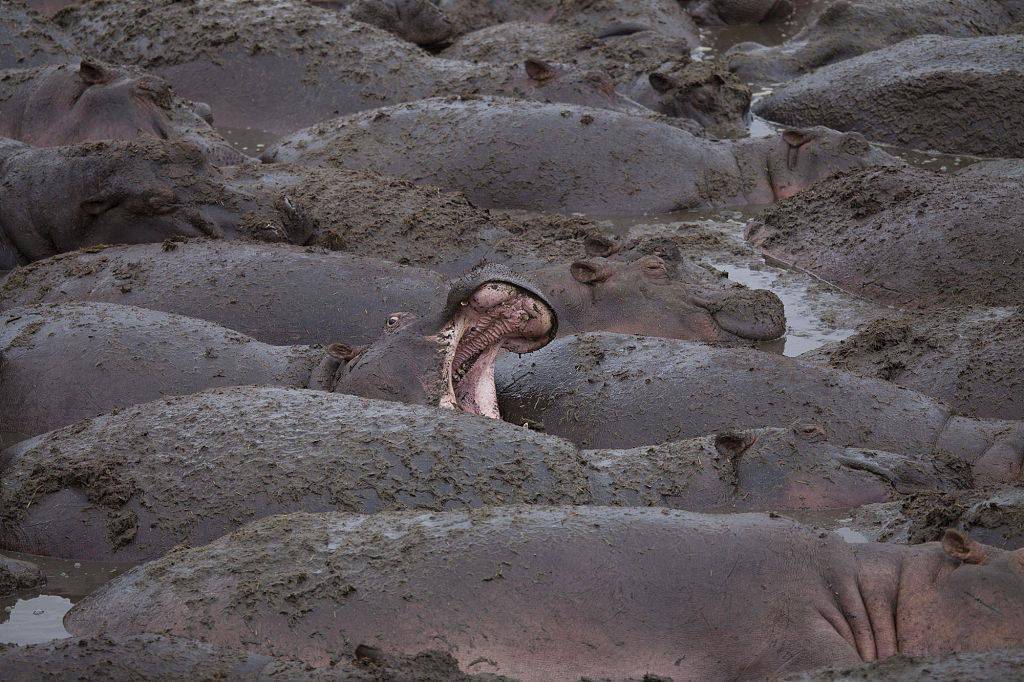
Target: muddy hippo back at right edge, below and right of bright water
(972, 359)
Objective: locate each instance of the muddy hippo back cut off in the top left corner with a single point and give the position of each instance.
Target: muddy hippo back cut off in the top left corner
(26, 40)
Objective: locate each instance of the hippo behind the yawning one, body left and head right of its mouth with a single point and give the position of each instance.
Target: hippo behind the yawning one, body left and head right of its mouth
(284, 295)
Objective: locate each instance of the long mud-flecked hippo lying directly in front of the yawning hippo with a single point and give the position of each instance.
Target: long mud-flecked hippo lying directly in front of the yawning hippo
(131, 486)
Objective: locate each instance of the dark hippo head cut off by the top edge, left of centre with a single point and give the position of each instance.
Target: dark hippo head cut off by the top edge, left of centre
(419, 22)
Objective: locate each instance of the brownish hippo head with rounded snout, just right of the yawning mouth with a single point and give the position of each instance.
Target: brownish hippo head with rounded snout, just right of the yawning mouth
(643, 297)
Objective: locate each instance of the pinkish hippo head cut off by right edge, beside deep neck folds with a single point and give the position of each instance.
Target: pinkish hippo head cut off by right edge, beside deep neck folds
(961, 596)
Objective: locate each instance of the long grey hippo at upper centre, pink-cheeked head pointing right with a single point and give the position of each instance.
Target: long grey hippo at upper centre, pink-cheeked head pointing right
(514, 154)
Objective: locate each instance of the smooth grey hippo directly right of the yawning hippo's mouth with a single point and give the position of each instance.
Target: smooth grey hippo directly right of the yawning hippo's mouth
(611, 391)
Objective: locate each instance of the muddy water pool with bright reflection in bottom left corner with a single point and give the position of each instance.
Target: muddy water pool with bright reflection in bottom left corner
(30, 617)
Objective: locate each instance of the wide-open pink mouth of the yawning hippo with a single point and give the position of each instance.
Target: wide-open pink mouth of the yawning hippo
(498, 316)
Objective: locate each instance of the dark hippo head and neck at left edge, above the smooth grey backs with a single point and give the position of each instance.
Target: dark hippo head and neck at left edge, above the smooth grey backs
(61, 199)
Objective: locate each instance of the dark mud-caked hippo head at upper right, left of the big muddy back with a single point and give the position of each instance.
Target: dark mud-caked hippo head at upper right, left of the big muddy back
(707, 94)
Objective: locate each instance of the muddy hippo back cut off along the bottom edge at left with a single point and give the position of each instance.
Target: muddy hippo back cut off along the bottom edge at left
(156, 659)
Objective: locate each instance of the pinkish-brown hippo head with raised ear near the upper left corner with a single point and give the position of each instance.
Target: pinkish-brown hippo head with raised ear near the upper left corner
(96, 102)
